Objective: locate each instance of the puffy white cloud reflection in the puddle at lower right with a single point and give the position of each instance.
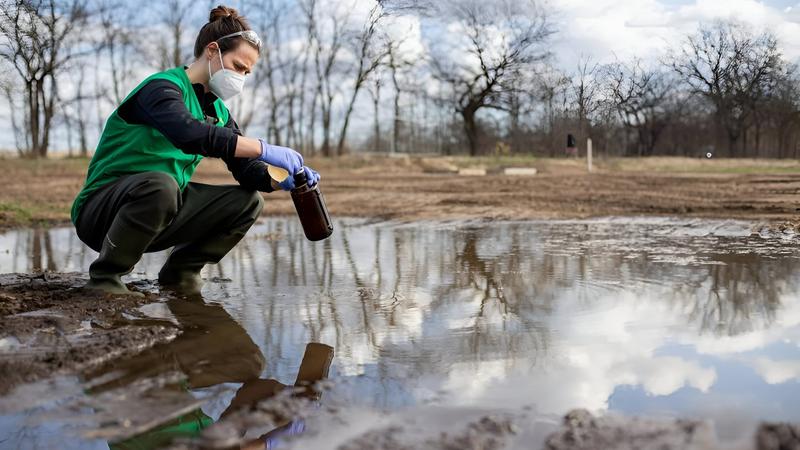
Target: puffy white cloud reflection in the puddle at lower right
(593, 354)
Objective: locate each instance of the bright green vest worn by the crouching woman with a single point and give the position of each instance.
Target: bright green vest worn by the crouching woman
(126, 148)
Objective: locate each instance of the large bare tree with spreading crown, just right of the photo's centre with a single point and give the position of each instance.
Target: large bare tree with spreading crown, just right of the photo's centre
(475, 79)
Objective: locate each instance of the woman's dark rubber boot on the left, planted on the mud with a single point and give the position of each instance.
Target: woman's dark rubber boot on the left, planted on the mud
(122, 248)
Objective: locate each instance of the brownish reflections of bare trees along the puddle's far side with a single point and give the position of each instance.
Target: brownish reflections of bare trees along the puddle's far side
(509, 277)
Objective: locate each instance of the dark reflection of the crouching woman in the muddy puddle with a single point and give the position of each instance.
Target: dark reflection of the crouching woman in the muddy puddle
(213, 349)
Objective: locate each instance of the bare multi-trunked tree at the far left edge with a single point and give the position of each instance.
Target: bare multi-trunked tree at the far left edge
(37, 43)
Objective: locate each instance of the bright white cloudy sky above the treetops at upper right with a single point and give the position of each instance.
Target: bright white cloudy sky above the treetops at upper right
(605, 29)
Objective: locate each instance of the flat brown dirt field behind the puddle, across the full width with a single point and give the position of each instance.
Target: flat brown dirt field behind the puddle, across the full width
(415, 188)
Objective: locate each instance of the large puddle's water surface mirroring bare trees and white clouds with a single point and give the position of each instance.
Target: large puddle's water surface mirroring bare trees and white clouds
(549, 314)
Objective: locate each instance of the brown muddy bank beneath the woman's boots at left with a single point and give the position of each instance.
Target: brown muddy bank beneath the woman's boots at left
(49, 326)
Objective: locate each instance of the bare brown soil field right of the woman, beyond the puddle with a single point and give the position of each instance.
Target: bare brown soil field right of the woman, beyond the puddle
(407, 189)
